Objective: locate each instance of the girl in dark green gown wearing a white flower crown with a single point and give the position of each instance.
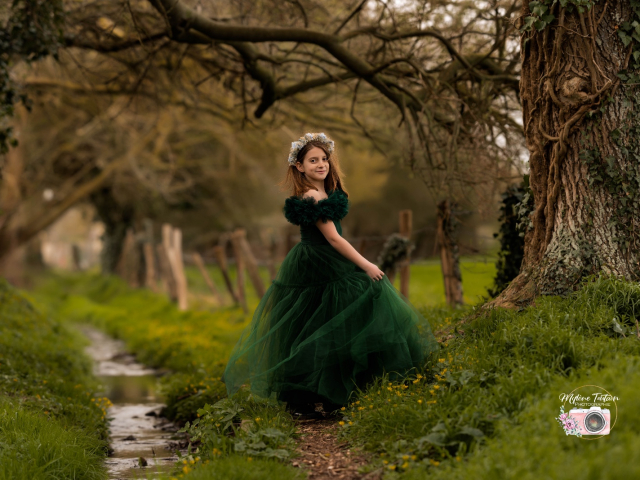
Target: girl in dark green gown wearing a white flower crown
(331, 321)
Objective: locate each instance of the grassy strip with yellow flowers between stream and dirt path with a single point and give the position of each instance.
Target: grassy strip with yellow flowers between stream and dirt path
(194, 346)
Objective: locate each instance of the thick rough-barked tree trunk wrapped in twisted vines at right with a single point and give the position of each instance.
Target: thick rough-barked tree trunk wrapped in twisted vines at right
(585, 173)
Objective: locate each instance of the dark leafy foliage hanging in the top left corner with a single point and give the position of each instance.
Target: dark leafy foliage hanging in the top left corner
(33, 30)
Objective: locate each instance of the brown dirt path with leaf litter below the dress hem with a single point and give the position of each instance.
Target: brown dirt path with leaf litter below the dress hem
(324, 457)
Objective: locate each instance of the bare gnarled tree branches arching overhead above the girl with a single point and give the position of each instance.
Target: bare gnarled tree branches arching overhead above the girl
(448, 68)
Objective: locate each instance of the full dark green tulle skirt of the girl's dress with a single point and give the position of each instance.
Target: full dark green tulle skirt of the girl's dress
(323, 328)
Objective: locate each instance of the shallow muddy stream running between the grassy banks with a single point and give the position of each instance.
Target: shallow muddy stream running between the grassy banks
(136, 430)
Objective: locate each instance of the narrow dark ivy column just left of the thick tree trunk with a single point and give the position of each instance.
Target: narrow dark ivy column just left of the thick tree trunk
(514, 201)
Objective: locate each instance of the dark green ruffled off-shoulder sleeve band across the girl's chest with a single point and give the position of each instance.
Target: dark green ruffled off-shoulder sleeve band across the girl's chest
(306, 211)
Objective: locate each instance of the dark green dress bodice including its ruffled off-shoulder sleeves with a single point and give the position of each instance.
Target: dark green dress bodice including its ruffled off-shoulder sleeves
(305, 212)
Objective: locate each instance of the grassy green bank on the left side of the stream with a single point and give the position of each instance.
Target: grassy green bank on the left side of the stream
(51, 426)
